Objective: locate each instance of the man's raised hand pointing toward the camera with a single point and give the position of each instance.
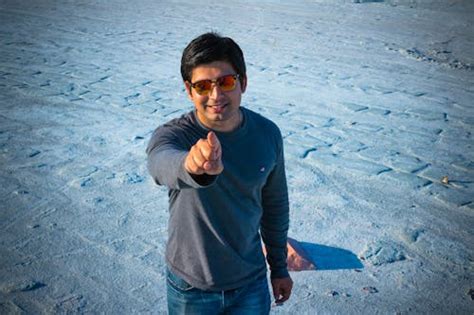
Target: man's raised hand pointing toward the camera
(205, 157)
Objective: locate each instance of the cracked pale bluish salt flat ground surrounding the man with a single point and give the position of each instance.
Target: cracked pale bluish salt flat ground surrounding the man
(375, 102)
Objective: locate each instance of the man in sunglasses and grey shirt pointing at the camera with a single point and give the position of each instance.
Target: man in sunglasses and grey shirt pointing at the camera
(224, 167)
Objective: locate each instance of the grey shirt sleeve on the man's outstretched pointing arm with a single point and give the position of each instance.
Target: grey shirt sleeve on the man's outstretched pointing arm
(166, 153)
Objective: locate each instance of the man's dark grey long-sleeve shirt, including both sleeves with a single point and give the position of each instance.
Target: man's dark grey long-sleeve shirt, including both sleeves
(213, 233)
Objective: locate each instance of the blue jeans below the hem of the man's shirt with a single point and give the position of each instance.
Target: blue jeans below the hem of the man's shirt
(251, 299)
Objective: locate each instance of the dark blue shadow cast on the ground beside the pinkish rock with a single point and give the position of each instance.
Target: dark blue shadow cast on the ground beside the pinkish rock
(330, 258)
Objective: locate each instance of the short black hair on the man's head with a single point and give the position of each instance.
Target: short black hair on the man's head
(210, 47)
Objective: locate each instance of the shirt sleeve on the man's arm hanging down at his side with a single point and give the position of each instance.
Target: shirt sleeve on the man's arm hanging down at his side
(275, 219)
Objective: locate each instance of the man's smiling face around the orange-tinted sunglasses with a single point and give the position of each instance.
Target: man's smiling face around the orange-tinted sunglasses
(218, 110)
